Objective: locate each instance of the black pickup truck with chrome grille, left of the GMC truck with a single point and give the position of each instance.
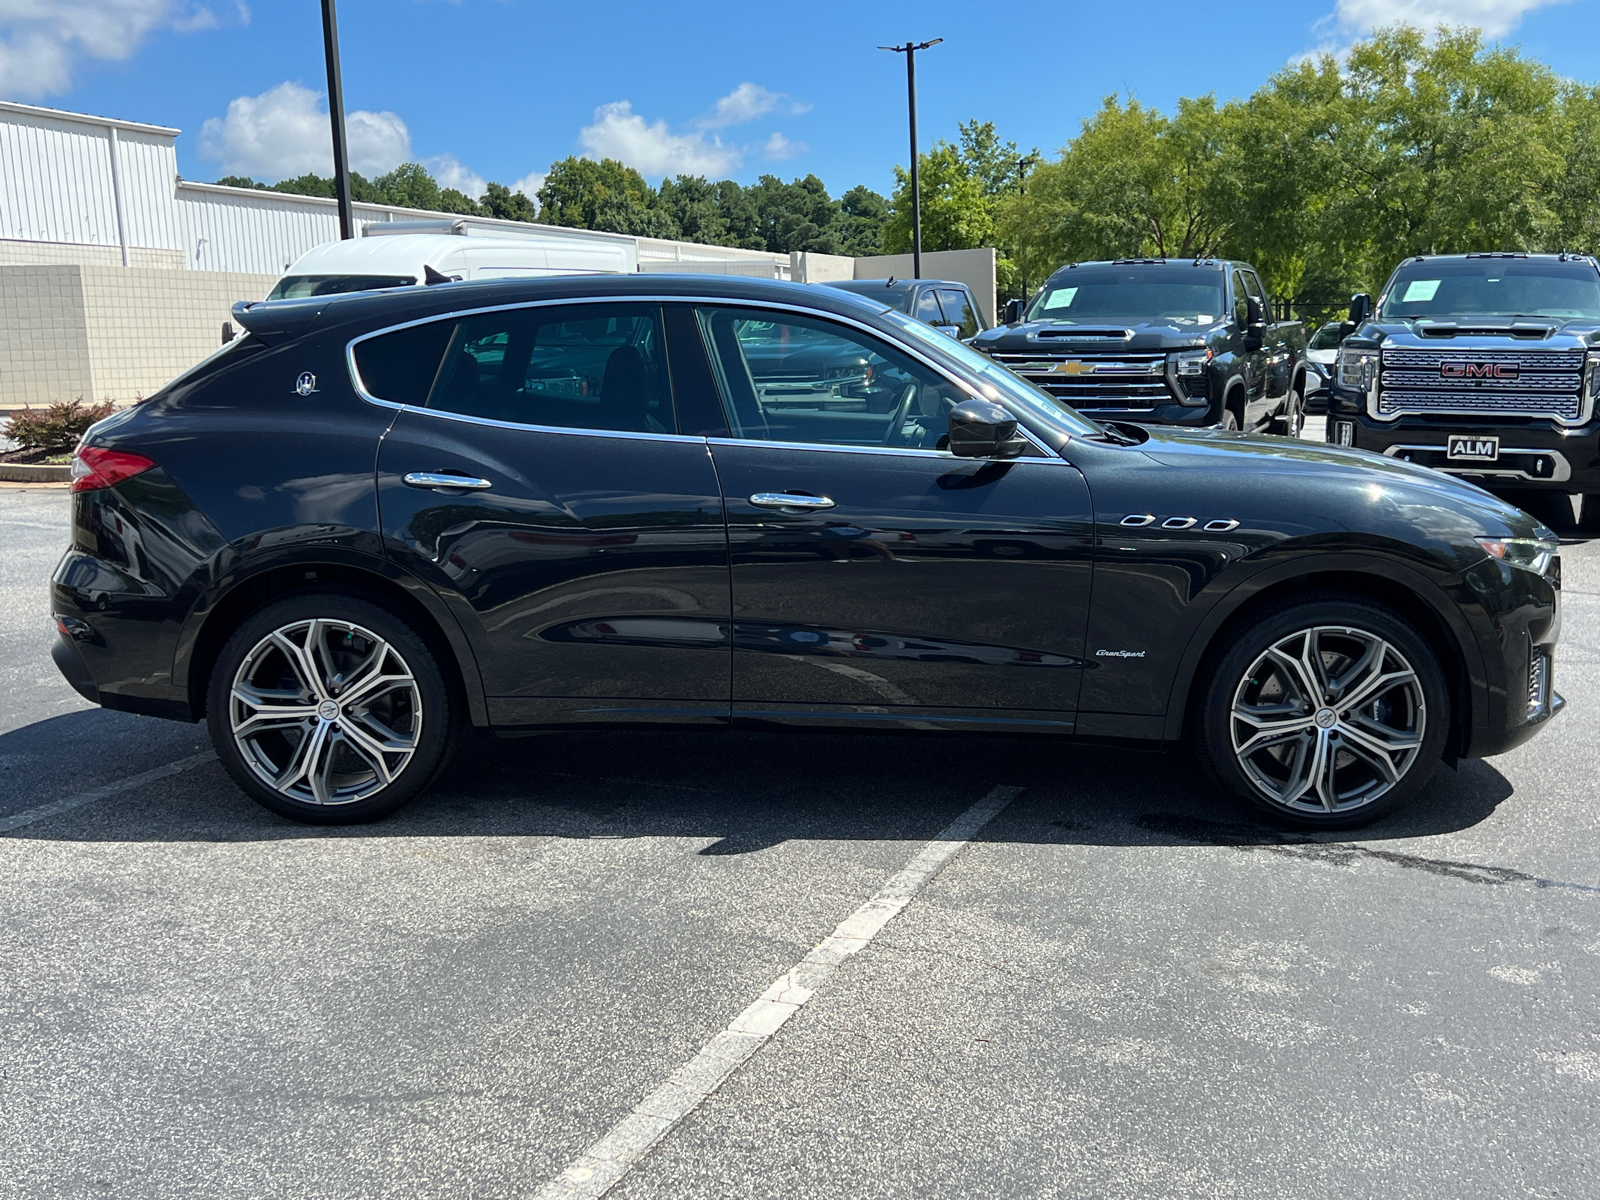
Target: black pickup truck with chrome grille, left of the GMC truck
(1156, 342)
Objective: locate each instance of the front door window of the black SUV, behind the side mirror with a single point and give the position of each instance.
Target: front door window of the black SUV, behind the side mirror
(791, 378)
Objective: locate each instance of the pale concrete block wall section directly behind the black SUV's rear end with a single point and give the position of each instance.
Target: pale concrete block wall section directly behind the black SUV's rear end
(148, 326)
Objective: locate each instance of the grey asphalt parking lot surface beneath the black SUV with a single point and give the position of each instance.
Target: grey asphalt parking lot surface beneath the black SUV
(1119, 986)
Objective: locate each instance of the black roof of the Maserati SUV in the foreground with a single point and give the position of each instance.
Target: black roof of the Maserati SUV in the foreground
(274, 321)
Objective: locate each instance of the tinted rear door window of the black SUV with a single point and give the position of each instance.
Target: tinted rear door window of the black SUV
(582, 367)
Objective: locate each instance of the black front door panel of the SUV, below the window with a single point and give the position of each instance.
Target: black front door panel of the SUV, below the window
(930, 585)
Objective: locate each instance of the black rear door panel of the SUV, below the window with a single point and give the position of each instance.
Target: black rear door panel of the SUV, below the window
(594, 566)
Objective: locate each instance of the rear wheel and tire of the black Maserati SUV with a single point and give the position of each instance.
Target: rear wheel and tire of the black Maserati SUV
(382, 742)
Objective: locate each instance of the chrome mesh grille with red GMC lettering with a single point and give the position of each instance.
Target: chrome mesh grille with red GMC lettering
(1524, 383)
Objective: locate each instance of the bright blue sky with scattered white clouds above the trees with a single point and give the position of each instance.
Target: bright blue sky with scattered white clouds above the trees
(502, 89)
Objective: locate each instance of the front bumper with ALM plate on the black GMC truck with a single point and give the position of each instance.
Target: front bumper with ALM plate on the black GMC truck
(1532, 454)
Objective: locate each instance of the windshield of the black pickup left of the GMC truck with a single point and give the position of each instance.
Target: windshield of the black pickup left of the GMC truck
(1097, 295)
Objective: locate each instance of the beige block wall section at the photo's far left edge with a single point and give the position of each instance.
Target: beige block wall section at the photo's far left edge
(44, 346)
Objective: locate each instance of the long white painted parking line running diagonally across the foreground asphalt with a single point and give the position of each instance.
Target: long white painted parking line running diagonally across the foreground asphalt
(609, 1161)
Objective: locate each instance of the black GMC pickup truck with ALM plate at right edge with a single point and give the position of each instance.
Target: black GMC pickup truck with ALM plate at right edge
(1484, 367)
